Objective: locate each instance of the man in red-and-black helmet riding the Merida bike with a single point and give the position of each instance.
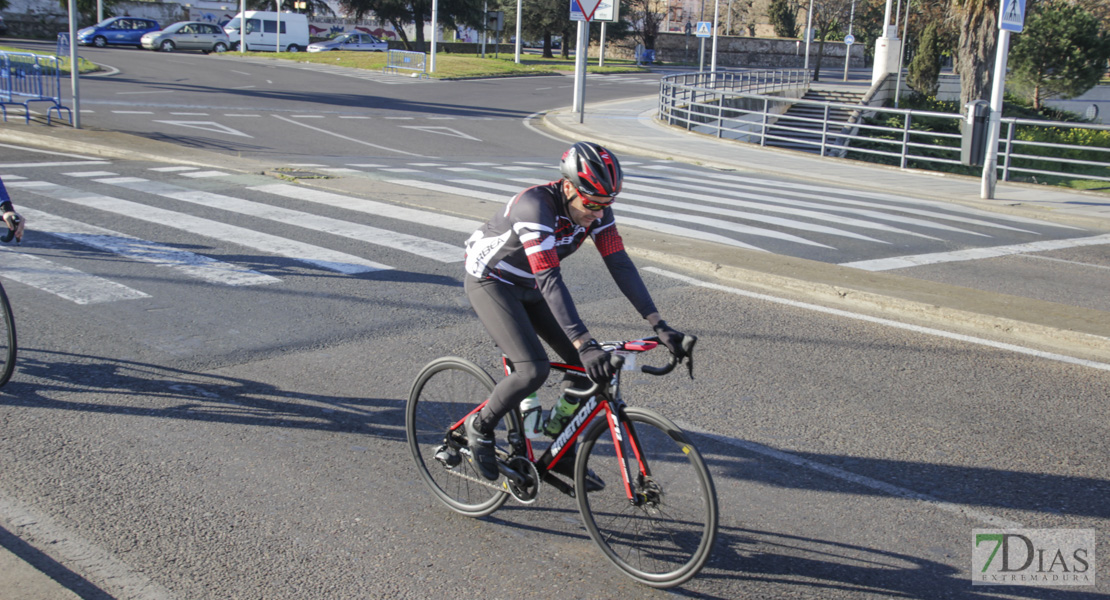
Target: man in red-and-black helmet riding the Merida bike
(516, 286)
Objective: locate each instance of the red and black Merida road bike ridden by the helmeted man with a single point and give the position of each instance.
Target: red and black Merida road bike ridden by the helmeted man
(657, 521)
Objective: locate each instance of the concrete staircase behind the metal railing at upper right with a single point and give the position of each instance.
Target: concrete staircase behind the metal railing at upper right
(803, 124)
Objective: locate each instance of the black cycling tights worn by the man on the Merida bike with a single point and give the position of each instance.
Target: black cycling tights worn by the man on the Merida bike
(518, 319)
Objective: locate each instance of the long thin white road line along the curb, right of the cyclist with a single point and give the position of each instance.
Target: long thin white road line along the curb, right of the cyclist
(885, 322)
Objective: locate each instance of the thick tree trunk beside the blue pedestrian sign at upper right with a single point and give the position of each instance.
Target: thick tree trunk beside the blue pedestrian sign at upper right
(975, 53)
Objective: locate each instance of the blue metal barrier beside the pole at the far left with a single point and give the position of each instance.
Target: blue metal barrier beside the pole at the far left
(27, 78)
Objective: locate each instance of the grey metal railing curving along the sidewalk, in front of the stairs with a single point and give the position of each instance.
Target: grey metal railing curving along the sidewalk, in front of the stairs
(753, 111)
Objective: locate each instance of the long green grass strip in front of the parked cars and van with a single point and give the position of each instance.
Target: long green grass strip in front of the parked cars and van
(455, 66)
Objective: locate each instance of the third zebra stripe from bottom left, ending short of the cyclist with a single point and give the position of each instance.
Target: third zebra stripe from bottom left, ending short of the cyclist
(273, 245)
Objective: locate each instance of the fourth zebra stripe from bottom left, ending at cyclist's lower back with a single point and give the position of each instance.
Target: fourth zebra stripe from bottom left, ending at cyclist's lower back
(412, 245)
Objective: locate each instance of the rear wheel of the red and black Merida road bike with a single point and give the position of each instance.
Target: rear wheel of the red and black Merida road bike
(446, 392)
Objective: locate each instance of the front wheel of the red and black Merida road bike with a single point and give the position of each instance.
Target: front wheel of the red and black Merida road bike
(667, 540)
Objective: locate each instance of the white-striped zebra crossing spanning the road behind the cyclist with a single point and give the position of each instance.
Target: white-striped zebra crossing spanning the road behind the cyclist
(733, 210)
